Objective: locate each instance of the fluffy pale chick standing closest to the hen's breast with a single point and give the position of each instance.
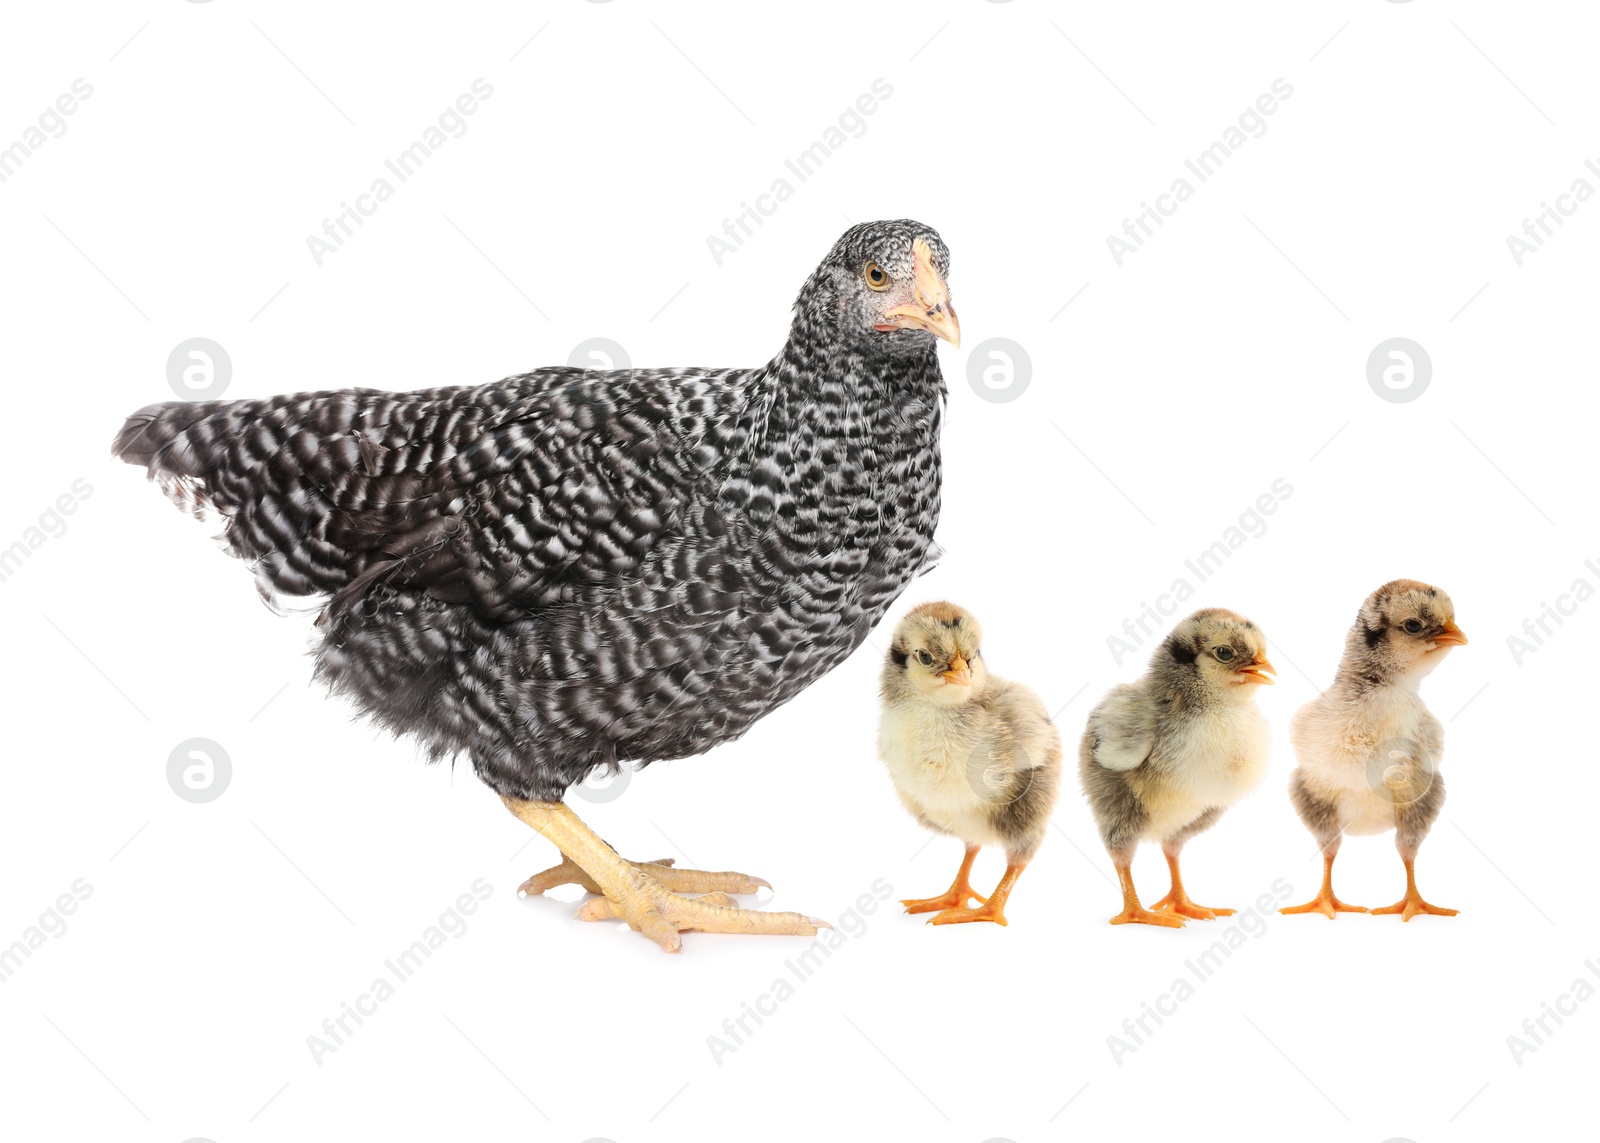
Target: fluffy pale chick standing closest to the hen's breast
(970, 755)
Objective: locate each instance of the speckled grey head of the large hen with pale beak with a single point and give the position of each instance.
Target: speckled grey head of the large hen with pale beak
(882, 289)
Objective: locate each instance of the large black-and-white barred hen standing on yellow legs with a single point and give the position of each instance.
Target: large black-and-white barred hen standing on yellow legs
(569, 569)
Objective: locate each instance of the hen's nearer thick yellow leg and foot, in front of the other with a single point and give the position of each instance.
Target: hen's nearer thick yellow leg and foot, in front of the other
(634, 896)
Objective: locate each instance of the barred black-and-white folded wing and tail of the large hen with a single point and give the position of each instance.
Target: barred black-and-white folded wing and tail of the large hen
(508, 497)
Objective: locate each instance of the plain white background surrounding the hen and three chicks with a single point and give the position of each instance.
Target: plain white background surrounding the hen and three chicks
(1172, 391)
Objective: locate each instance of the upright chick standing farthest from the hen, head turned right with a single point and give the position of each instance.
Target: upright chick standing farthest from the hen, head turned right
(1369, 748)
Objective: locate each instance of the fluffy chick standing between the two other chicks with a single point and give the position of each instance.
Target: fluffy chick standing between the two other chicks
(1166, 756)
